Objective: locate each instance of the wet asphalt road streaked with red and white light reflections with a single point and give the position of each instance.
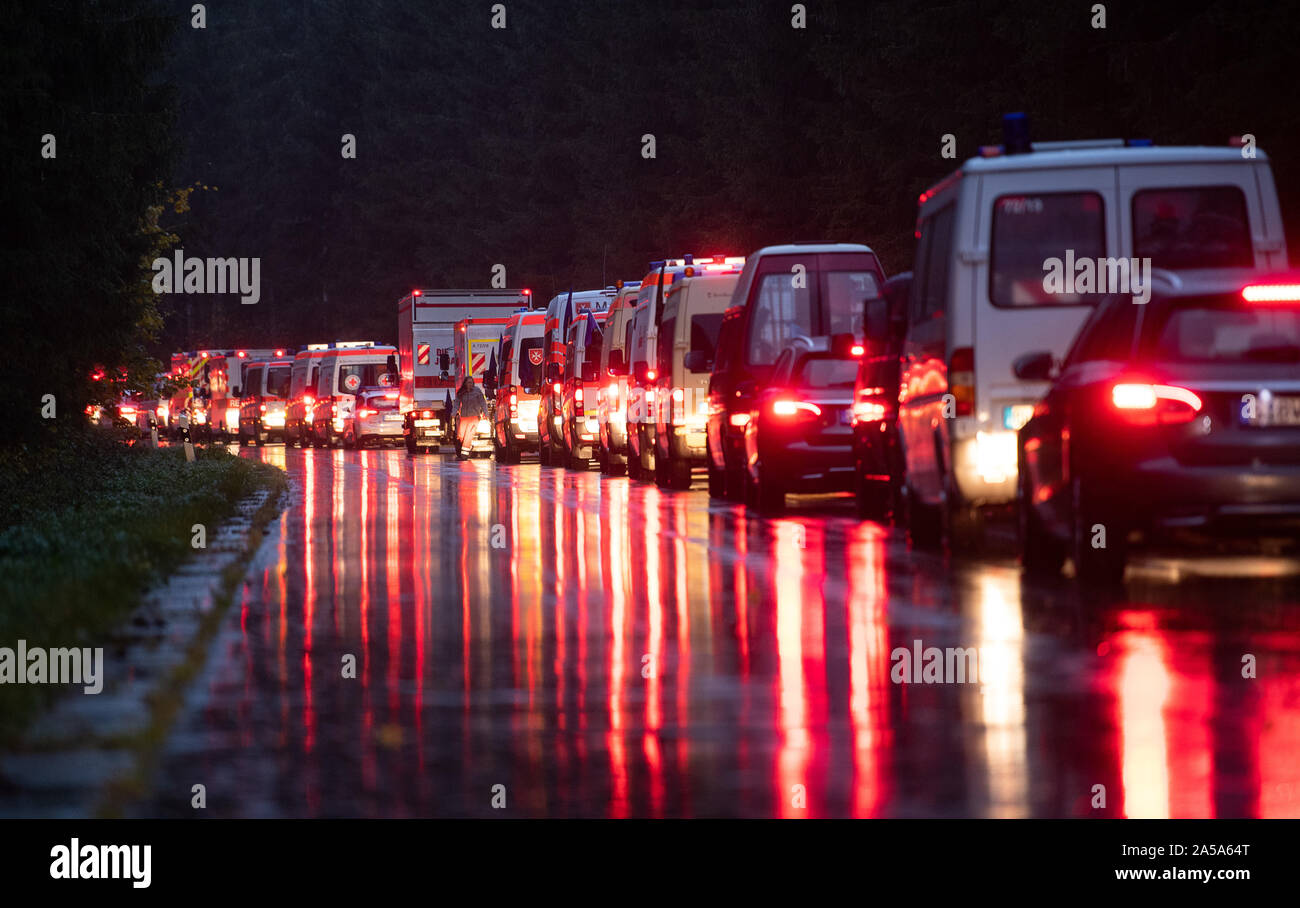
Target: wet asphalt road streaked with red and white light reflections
(604, 648)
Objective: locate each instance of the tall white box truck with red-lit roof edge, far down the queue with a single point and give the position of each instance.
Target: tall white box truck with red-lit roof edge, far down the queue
(427, 344)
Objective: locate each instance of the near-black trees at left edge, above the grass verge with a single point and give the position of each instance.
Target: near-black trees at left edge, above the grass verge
(88, 144)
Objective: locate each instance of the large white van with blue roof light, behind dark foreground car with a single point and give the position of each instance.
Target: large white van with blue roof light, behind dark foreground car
(993, 243)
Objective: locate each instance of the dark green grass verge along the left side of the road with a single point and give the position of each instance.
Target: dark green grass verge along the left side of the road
(88, 525)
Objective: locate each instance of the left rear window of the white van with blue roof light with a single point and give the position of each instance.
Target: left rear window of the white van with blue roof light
(1029, 231)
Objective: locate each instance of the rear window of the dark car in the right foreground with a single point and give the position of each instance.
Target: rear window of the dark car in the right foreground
(1223, 332)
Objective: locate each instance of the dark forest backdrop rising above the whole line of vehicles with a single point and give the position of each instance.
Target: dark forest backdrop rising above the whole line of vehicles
(523, 146)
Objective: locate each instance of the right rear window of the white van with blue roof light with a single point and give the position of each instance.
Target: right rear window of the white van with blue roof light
(1193, 227)
